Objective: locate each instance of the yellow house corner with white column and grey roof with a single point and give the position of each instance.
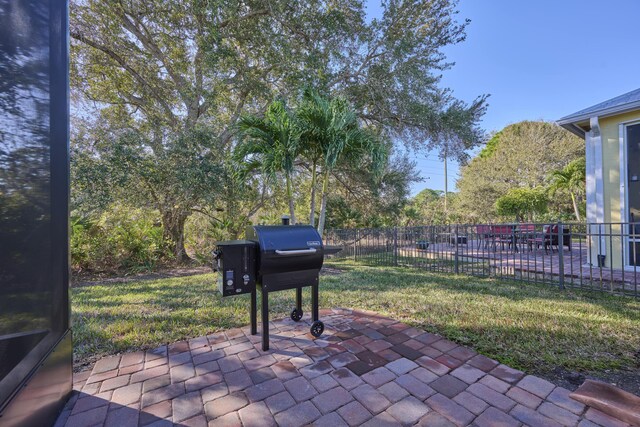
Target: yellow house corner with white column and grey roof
(611, 130)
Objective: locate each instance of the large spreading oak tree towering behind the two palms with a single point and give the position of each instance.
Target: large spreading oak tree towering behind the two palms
(160, 84)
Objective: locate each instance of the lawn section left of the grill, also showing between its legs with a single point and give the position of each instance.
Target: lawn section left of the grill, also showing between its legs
(142, 315)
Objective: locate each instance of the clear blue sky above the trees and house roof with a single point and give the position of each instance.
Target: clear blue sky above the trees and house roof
(539, 59)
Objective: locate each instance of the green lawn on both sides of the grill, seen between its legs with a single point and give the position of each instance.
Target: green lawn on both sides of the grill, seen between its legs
(531, 327)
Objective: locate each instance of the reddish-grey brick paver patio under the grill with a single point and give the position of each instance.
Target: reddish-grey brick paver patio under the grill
(365, 370)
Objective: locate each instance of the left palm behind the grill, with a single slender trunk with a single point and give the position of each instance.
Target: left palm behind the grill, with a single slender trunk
(272, 144)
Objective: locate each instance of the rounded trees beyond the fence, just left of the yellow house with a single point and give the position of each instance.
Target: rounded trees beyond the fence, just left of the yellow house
(528, 171)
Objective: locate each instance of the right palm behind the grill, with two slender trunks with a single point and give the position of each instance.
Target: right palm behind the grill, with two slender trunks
(332, 135)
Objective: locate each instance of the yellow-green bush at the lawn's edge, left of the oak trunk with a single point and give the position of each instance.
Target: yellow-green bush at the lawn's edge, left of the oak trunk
(121, 238)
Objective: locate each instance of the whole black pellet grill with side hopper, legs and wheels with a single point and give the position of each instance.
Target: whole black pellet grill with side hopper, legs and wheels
(273, 258)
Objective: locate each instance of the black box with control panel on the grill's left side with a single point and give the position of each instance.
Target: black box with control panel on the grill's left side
(235, 262)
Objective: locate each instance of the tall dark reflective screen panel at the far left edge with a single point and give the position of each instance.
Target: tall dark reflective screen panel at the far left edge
(33, 188)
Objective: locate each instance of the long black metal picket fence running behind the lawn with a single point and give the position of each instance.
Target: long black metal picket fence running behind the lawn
(599, 257)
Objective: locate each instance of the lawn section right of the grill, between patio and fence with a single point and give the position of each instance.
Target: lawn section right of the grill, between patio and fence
(526, 325)
